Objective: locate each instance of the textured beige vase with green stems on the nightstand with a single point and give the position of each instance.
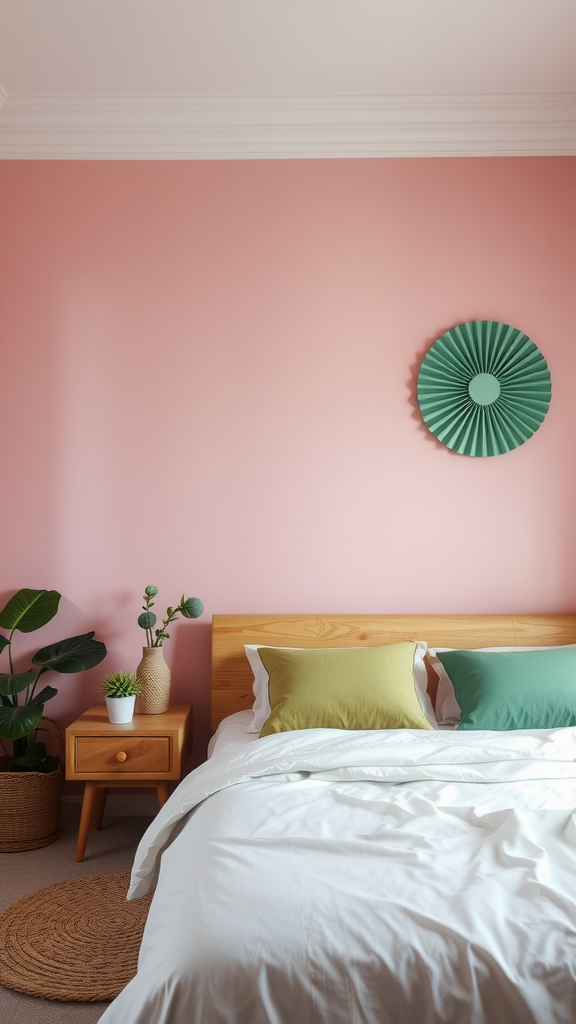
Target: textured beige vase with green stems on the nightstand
(153, 672)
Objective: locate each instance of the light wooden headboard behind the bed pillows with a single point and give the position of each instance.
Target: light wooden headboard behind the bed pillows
(232, 676)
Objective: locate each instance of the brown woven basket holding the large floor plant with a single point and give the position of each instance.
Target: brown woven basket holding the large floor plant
(30, 803)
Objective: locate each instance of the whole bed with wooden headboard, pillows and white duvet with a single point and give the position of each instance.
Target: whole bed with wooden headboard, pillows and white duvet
(366, 873)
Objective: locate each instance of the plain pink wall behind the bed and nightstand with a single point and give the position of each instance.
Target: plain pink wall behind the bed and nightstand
(209, 385)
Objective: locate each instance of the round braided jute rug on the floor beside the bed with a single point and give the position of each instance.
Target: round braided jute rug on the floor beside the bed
(76, 942)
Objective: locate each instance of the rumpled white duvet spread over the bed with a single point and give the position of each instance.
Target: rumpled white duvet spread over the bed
(325, 877)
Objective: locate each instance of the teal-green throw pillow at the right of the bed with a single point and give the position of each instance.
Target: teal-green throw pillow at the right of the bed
(533, 690)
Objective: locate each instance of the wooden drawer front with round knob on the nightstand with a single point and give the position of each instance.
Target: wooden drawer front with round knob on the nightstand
(150, 755)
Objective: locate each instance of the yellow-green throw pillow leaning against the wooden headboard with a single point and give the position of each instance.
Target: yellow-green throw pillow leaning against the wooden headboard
(348, 689)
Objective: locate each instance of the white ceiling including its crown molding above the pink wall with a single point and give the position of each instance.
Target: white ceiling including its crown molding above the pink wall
(254, 78)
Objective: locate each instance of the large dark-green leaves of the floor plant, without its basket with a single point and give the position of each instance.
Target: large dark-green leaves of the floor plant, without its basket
(27, 612)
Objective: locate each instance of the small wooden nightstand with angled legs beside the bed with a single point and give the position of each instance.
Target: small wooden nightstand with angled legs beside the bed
(150, 751)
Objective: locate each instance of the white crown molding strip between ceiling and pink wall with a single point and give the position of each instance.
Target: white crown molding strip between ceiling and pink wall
(250, 129)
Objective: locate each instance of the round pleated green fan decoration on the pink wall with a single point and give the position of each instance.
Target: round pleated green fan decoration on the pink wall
(484, 389)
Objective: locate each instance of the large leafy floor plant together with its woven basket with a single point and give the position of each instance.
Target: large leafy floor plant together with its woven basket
(31, 780)
